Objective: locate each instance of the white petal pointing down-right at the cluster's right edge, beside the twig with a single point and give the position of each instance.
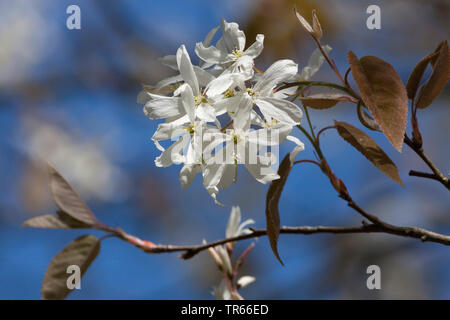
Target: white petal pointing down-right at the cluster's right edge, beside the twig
(281, 110)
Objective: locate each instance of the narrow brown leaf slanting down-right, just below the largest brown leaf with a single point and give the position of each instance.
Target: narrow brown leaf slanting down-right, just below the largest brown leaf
(369, 148)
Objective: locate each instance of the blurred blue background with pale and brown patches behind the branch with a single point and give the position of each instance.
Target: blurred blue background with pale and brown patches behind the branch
(69, 97)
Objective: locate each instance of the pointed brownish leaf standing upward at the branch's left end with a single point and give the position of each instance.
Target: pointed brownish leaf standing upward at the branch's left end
(68, 200)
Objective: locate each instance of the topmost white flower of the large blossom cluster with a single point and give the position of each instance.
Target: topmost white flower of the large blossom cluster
(229, 52)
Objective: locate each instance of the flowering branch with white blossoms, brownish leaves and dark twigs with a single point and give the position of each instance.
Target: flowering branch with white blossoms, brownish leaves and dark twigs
(260, 111)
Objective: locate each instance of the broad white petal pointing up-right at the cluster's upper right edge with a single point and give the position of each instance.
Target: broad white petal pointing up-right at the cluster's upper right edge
(278, 72)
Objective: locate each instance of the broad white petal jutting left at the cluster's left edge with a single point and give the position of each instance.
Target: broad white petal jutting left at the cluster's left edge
(164, 107)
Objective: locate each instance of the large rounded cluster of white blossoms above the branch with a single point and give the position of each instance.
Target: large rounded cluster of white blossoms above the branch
(224, 111)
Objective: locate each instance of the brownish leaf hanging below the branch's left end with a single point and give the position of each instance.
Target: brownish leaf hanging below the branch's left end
(80, 252)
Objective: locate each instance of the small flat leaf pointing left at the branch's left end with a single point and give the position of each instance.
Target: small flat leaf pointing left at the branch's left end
(50, 221)
